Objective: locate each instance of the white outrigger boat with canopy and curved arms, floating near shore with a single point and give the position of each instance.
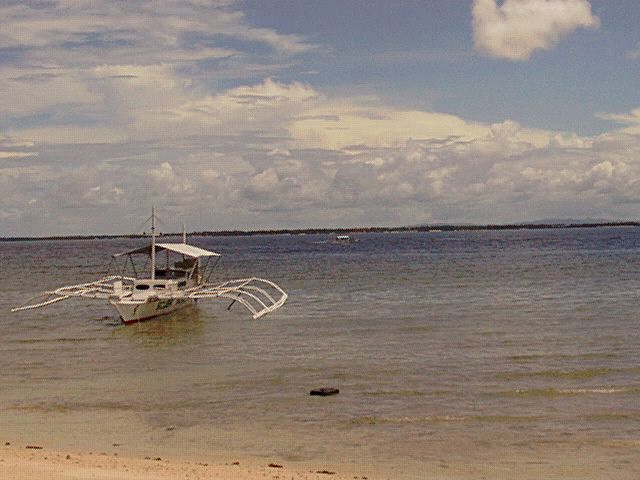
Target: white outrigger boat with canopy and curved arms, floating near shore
(179, 283)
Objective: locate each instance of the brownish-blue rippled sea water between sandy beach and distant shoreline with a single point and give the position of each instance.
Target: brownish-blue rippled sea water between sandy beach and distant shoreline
(487, 347)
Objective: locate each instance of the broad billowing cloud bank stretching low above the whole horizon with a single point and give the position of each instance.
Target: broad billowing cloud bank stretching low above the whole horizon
(274, 153)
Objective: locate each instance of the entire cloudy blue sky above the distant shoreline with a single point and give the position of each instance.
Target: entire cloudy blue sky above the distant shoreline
(254, 114)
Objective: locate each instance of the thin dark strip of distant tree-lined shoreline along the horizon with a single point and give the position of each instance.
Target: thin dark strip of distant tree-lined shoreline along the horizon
(337, 231)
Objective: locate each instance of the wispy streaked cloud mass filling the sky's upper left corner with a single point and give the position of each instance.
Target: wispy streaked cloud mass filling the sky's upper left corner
(70, 62)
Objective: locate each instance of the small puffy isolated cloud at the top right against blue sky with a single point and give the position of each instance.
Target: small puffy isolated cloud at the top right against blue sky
(515, 29)
